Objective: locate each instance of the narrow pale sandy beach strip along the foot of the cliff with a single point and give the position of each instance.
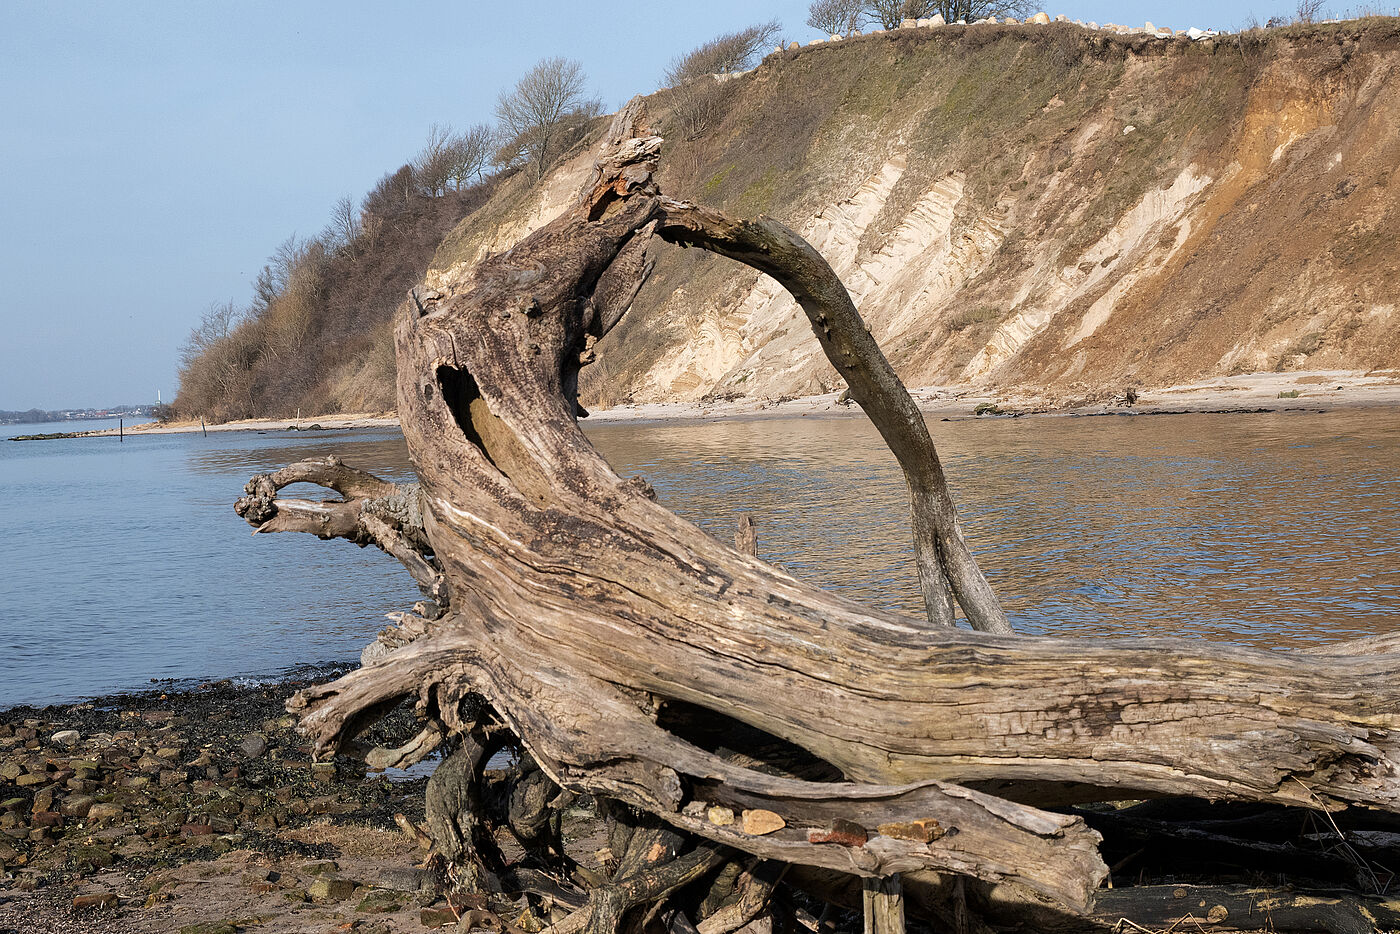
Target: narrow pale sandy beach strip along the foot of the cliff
(1308, 391)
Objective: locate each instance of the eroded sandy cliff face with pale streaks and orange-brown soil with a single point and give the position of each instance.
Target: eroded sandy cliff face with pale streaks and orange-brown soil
(1028, 208)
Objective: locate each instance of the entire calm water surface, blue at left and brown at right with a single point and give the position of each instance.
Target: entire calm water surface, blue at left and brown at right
(125, 562)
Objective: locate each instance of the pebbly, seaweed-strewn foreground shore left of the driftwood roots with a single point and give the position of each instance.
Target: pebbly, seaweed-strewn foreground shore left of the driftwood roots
(201, 806)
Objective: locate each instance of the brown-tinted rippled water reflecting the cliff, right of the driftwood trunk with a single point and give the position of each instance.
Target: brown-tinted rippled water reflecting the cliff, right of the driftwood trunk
(1269, 530)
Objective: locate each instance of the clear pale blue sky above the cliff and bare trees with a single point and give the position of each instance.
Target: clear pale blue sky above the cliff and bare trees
(155, 155)
